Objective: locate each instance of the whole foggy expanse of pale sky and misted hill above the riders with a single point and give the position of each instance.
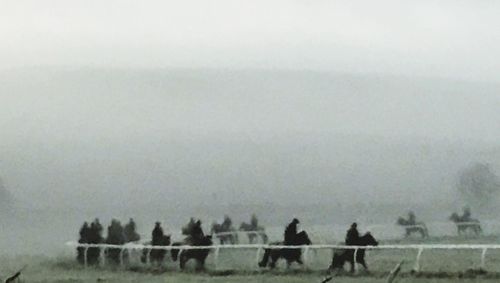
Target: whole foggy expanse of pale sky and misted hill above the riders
(254, 100)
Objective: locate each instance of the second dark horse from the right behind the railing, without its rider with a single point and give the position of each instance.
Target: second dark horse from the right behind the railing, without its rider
(290, 255)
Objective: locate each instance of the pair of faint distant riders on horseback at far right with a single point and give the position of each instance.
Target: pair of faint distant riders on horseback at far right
(464, 223)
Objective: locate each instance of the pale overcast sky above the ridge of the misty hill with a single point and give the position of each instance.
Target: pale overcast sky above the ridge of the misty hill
(459, 39)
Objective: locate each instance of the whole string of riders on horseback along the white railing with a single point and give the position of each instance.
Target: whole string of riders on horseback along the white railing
(194, 236)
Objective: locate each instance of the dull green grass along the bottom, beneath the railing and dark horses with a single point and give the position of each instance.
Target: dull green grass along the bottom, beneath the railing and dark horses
(240, 266)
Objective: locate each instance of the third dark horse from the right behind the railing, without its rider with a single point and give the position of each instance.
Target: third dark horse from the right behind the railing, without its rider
(200, 255)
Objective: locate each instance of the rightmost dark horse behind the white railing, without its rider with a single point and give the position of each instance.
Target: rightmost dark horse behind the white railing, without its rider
(347, 255)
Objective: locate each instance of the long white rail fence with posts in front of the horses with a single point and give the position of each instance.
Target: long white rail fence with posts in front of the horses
(259, 247)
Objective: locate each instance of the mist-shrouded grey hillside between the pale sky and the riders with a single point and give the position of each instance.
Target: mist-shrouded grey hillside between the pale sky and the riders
(95, 137)
